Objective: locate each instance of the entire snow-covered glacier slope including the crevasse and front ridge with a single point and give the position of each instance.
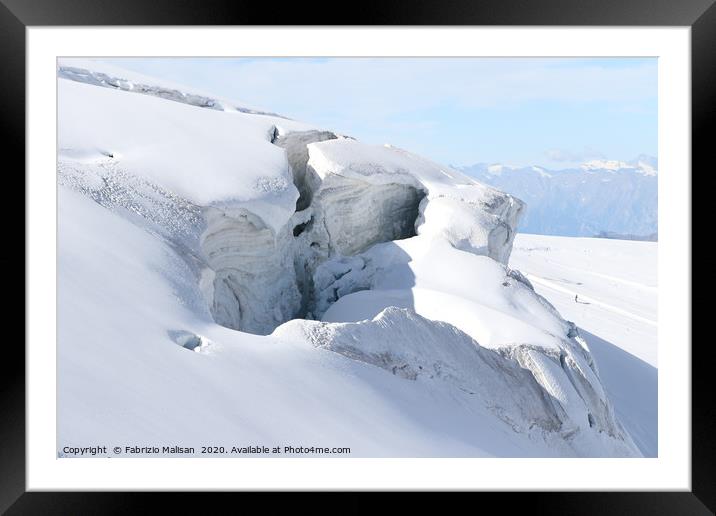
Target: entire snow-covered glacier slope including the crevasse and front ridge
(198, 249)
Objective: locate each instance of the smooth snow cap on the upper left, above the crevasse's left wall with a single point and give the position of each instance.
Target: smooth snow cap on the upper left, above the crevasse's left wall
(158, 140)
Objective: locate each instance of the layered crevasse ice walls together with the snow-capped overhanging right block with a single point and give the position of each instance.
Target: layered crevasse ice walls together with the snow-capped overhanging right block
(339, 214)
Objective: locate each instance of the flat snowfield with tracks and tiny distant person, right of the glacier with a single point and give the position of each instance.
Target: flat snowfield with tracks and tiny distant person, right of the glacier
(616, 285)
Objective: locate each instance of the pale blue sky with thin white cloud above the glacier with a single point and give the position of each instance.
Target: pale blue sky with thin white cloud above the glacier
(553, 112)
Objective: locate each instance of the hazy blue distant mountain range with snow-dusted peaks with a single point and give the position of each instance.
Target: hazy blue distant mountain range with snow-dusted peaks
(605, 198)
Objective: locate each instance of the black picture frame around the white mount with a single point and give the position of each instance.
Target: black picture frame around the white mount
(17, 15)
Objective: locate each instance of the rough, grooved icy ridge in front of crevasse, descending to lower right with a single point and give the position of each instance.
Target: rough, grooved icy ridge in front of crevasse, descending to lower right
(553, 398)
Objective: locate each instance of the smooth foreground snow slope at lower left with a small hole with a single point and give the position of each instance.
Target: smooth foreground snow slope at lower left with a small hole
(123, 379)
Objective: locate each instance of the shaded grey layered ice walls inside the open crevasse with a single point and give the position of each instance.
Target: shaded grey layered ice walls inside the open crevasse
(263, 279)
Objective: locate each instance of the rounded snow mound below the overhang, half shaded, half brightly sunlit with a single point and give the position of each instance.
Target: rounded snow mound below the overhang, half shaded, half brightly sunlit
(487, 304)
